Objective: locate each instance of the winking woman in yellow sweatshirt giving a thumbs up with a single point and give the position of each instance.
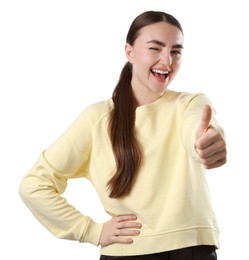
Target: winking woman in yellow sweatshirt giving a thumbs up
(145, 151)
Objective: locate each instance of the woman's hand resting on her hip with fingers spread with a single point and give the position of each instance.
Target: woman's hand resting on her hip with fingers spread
(120, 230)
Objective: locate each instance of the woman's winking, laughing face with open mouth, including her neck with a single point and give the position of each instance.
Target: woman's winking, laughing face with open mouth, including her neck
(156, 58)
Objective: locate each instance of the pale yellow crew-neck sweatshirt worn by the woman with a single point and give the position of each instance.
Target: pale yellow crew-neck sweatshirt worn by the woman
(170, 197)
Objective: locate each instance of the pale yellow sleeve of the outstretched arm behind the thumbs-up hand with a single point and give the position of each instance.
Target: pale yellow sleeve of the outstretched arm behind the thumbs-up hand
(192, 112)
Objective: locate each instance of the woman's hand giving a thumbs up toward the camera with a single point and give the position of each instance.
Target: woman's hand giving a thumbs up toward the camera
(209, 144)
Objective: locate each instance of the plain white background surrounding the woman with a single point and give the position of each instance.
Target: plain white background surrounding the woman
(57, 57)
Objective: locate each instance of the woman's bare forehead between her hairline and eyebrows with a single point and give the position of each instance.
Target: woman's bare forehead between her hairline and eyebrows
(162, 31)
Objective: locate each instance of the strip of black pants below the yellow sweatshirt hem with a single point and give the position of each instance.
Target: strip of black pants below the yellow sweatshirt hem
(189, 253)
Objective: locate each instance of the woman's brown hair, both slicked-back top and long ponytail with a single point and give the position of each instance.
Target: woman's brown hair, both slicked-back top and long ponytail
(126, 148)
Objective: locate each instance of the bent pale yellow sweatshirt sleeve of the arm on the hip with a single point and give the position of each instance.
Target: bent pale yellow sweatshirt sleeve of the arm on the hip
(42, 187)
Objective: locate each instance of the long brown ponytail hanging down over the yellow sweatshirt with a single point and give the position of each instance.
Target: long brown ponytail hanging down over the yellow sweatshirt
(126, 148)
